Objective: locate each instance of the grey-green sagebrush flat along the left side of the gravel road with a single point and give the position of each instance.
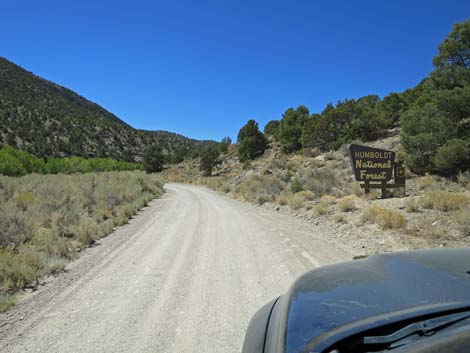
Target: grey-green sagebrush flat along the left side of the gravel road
(46, 219)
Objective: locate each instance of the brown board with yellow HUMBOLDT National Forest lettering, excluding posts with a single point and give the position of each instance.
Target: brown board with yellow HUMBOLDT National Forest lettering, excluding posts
(371, 164)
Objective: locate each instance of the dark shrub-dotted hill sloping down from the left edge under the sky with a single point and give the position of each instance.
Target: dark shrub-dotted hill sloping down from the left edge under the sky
(46, 119)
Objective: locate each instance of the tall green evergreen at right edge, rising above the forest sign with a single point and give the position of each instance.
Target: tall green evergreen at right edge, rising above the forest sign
(436, 129)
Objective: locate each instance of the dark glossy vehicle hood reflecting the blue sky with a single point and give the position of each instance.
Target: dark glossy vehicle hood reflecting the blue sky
(326, 303)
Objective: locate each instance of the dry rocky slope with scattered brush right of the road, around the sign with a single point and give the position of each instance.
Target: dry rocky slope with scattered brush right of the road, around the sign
(320, 188)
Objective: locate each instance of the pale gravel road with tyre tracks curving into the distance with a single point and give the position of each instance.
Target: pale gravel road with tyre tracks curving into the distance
(185, 275)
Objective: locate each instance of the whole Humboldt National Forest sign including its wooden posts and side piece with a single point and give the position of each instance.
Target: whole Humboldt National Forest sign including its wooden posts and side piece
(374, 167)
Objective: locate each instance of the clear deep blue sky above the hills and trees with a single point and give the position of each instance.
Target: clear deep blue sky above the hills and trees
(203, 68)
